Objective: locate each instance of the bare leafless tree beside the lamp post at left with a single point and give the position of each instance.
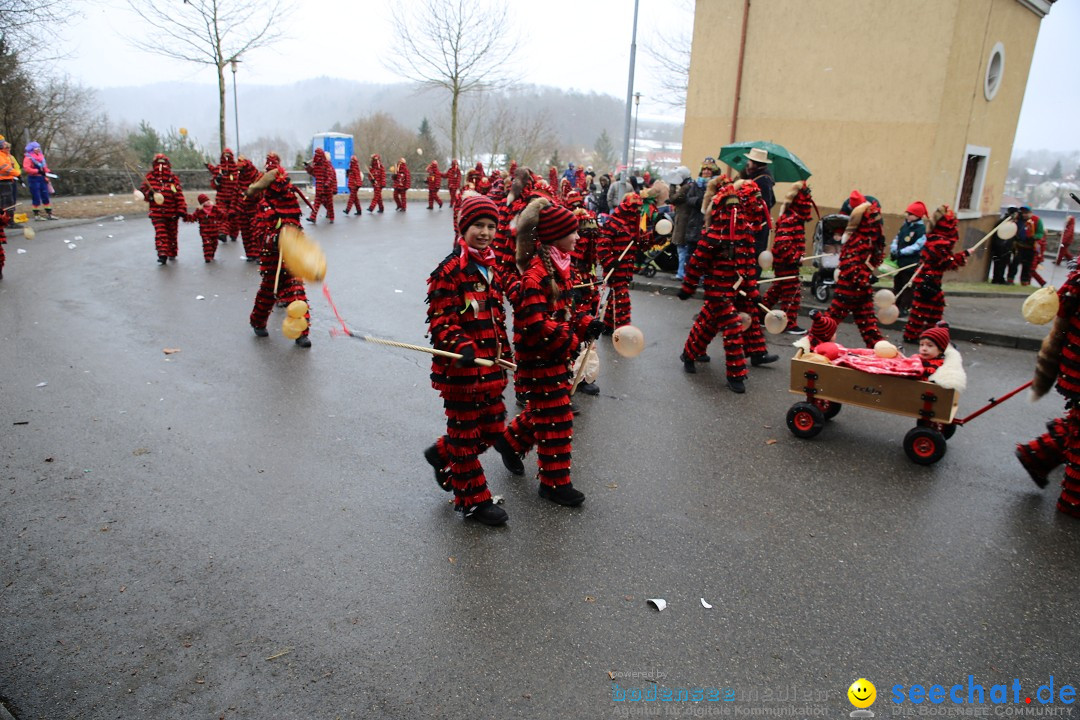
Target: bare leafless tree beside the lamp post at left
(215, 33)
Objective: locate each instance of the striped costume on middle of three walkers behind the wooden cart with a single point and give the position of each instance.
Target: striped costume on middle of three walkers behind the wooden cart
(854, 293)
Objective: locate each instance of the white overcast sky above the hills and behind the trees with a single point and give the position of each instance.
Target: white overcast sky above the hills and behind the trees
(583, 45)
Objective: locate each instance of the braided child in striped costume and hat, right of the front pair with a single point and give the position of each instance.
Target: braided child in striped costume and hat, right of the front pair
(548, 333)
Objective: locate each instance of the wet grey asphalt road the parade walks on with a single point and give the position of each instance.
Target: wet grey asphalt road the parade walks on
(247, 529)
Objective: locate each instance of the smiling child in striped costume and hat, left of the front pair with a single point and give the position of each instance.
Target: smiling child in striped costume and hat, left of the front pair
(466, 316)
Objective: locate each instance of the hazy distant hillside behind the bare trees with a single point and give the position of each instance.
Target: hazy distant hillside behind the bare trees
(295, 113)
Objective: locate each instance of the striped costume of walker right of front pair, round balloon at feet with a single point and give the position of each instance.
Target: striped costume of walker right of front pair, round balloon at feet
(623, 228)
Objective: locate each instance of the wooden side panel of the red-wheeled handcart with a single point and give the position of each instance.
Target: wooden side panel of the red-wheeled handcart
(877, 392)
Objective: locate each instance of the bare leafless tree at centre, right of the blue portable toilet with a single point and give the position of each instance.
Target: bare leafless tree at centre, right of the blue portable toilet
(457, 46)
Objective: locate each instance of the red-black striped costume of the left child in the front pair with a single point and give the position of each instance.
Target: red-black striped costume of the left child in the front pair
(466, 310)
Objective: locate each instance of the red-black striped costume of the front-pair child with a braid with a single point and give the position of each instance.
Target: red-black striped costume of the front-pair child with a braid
(547, 335)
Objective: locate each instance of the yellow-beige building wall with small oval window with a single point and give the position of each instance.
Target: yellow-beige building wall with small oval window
(875, 96)
